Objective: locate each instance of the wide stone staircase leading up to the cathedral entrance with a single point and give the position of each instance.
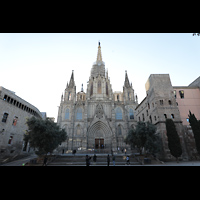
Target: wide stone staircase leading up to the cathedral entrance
(80, 160)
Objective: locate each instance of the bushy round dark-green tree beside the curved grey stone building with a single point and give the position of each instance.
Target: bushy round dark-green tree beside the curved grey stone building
(44, 135)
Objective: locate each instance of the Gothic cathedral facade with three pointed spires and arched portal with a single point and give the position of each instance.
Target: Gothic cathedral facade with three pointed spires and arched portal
(98, 118)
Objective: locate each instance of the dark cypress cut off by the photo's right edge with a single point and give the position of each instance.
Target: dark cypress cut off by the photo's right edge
(195, 124)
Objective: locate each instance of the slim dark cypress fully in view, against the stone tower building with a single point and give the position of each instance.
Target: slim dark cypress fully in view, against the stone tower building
(173, 139)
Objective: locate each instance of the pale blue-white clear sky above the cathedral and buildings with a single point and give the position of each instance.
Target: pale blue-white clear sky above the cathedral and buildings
(37, 66)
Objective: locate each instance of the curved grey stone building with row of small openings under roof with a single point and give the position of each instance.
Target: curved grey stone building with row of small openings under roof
(14, 111)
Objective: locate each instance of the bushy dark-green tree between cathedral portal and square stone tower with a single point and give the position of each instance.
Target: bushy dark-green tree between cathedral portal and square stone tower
(144, 136)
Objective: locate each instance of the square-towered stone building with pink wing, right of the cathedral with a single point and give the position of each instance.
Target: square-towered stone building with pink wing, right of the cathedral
(165, 101)
